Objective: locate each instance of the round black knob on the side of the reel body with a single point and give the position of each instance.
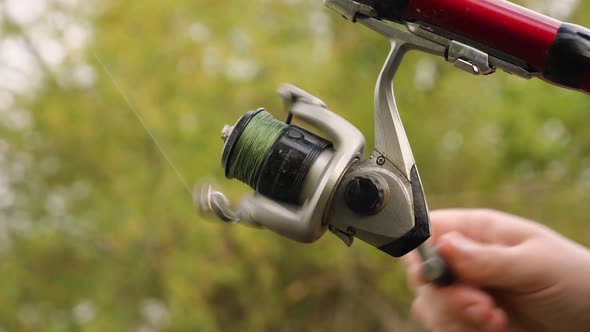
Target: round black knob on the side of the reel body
(364, 195)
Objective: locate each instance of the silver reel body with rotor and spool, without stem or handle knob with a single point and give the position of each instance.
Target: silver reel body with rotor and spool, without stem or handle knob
(371, 199)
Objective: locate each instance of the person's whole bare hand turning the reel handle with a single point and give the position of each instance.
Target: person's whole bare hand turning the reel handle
(513, 275)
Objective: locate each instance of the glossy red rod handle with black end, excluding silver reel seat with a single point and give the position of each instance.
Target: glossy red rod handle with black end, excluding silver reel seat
(559, 52)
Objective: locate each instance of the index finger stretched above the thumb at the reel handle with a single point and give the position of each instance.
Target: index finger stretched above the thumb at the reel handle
(486, 226)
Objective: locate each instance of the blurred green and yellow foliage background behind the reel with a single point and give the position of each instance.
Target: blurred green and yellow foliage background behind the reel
(97, 232)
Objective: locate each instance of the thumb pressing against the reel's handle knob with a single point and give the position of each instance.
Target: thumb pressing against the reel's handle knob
(480, 264)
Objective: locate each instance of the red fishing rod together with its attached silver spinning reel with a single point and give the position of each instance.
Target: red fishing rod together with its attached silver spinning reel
(306, 184)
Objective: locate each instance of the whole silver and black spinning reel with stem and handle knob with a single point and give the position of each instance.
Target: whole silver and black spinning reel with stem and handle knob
(306, 184)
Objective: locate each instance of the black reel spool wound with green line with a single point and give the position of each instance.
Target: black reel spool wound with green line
(272, 157)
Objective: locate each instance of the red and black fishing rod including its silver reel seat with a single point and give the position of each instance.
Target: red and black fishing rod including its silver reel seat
(482, 35)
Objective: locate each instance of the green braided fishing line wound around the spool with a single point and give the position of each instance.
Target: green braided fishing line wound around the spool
(253, 146)
